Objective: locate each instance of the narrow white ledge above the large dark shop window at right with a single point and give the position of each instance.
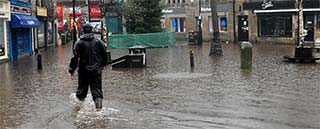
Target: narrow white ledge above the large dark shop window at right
(286, 10)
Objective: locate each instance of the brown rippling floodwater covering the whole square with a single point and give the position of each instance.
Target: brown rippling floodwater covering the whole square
(216, 94)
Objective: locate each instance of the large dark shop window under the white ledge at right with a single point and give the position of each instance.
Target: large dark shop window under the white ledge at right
(275, 26)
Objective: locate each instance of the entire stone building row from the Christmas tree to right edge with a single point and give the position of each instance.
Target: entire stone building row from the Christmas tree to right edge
(272, 21)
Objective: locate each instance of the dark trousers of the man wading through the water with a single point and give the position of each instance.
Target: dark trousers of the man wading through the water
(84, 81)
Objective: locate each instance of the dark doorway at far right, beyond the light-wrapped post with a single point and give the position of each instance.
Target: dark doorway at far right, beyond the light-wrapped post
(309, 25)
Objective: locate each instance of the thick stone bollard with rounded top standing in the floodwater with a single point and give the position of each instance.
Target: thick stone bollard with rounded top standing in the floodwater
(246, 55)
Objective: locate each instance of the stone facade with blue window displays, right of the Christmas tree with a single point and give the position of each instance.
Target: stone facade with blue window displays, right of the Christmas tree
(180, 16)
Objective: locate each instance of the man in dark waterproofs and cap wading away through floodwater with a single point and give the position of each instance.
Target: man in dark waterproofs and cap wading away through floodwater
(89, 54)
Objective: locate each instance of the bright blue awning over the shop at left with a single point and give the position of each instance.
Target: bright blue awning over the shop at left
(25, 21)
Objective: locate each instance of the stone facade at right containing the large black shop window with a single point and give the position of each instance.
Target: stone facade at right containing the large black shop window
(276, 21)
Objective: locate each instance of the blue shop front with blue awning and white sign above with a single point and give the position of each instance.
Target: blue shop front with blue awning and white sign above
(20, 29)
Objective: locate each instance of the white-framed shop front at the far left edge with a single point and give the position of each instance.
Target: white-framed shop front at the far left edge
(4, 17)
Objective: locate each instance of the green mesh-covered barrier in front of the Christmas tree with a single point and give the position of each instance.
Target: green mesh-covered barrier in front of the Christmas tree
(162, 39)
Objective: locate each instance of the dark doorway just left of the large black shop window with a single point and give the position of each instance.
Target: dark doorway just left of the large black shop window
(243, 28)
